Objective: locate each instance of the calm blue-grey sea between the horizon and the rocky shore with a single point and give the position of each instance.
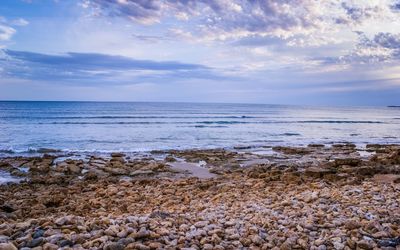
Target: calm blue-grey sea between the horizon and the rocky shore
(90, 127)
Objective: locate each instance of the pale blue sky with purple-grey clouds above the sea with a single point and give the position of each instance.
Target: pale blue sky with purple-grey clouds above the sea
(307, 52)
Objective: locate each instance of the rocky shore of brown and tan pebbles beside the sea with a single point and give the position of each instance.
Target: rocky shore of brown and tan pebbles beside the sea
(314, 197)
